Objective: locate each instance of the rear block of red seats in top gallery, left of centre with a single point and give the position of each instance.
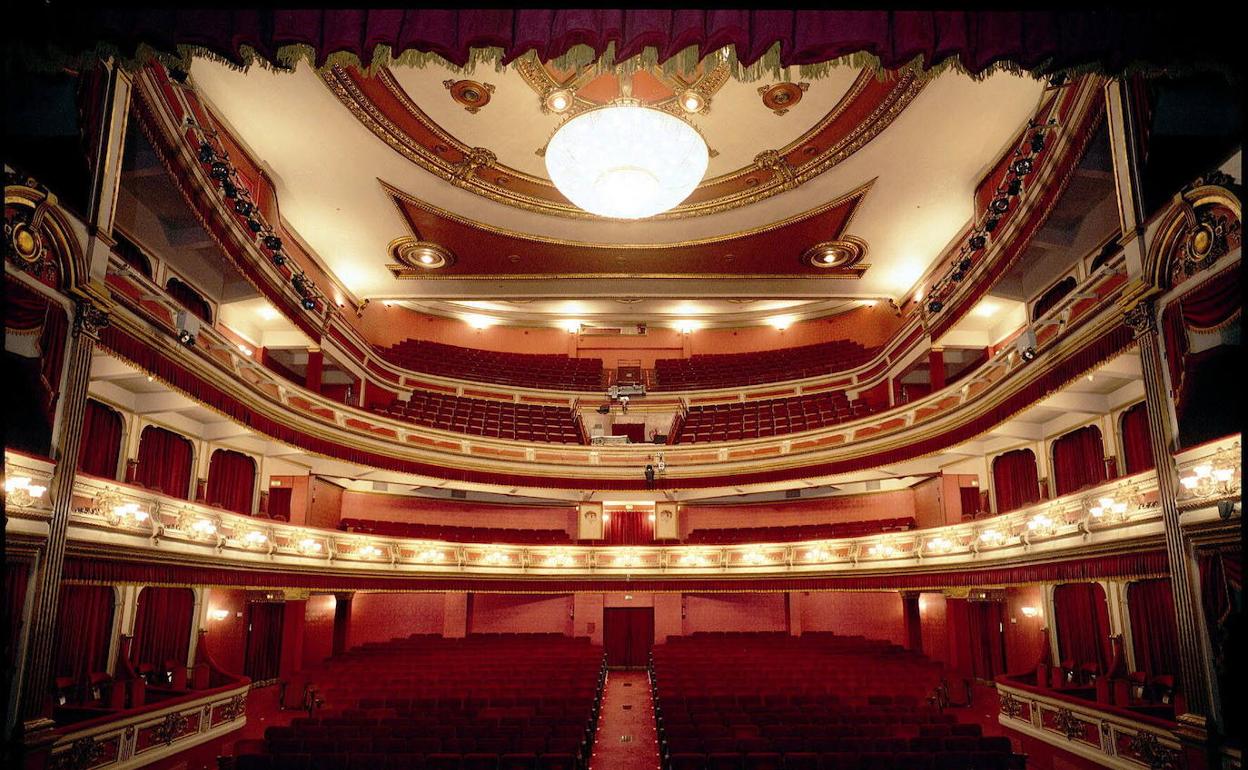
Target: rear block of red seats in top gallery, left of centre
(522, 370)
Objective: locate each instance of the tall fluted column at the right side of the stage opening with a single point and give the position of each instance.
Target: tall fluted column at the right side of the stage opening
(1194, 667)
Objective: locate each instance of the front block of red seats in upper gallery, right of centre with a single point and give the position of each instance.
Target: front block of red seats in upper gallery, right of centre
(739, 421)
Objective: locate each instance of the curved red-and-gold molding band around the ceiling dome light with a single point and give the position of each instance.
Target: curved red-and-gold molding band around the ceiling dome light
(363, 108)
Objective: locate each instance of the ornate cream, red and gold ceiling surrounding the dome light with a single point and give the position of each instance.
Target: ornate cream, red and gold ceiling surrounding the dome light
(853, 179)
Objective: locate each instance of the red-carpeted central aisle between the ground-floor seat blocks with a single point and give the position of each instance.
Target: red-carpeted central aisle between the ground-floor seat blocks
(626, 739)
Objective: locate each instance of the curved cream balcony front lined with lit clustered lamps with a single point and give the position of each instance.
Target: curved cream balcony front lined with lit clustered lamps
(143, 521)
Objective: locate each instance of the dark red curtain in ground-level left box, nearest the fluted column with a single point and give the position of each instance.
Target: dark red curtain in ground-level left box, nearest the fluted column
(84, 631)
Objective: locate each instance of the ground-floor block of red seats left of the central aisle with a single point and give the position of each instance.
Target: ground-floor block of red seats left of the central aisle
(521, 702)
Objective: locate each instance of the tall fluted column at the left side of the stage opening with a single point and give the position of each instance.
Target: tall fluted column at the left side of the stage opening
(36, 691)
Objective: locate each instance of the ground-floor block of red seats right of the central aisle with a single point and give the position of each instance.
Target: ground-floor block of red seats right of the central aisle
(814, 702)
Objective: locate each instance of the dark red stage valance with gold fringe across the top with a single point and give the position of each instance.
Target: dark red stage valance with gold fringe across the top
(978, 39)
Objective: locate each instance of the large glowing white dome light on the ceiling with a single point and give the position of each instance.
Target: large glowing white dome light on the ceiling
(627, 162)
